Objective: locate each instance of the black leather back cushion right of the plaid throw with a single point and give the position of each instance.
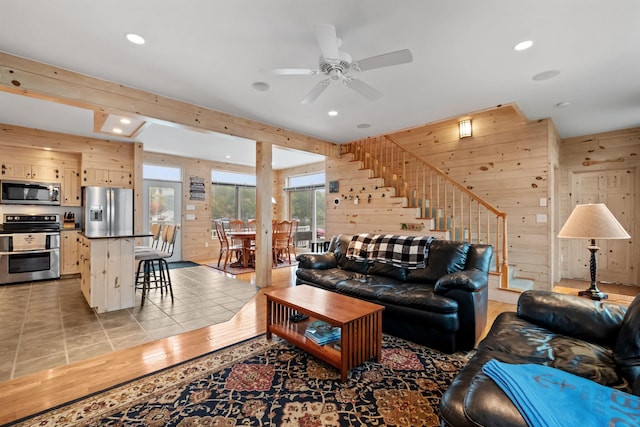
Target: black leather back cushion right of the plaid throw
(444, 257)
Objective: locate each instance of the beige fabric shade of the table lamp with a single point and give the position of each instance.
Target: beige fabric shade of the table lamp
(593, 221)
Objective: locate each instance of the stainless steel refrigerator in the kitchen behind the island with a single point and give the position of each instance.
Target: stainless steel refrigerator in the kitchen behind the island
(107, 211)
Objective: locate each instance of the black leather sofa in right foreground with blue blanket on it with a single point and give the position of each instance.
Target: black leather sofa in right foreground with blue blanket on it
(596, 340)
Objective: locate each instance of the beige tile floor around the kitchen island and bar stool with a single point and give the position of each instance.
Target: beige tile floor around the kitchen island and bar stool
(47, 324)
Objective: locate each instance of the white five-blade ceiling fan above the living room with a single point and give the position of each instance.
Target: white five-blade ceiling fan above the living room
(337, 65)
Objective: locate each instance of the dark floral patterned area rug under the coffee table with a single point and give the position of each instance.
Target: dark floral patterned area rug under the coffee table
(272, 383)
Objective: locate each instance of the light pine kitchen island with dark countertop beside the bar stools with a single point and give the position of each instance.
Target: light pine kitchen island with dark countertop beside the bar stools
(107, 267)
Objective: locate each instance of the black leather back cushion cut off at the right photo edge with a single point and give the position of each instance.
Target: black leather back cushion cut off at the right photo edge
(627, 347)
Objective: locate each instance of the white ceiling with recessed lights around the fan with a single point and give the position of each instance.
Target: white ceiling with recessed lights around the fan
(210, 52)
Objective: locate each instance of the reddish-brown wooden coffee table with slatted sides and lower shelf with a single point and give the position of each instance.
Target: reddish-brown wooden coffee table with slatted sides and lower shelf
(360, 321)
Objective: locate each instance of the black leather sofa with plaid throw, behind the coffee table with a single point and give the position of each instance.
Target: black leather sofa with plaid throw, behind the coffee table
(443, 306)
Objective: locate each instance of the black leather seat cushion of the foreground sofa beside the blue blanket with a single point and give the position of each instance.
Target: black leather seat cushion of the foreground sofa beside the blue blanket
(525, 342)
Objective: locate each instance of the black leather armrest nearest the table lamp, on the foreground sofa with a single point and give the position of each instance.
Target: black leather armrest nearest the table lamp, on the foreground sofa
(593, 321)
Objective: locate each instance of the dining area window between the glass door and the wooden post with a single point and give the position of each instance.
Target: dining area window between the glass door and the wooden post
(233, 195)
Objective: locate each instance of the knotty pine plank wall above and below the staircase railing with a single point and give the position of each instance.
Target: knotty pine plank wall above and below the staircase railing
(506, 162)
